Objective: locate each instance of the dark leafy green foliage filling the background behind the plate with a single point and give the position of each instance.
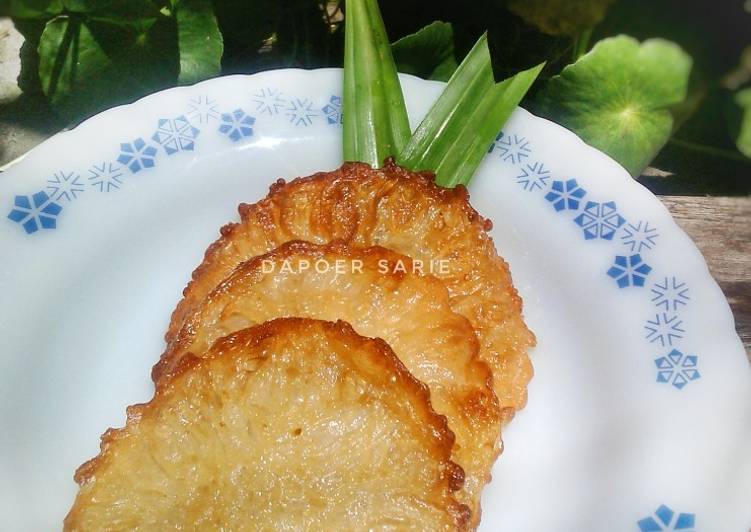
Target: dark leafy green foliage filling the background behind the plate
(681, 103)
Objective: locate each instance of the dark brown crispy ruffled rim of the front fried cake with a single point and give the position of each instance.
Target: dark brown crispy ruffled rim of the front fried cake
(381, 357)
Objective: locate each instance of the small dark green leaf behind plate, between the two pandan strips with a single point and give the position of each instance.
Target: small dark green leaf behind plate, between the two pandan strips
(429, 53)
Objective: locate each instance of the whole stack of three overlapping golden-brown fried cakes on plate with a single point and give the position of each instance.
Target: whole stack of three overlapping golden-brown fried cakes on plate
(343, 359)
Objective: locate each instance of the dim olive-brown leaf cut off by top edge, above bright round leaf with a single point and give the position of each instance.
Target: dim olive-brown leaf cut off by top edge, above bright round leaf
(561, 17)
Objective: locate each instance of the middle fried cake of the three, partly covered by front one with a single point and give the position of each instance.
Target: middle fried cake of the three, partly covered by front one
(376, 291)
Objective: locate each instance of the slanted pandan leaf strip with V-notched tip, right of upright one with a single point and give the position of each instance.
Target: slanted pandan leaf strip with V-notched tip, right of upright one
(454, 136)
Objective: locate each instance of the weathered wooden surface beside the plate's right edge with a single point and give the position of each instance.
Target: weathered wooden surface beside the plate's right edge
(721, 228)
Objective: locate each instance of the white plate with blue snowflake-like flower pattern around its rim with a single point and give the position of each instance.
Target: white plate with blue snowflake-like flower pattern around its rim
(639, 415)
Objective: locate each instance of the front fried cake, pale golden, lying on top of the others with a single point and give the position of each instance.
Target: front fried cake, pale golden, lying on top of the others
(291, 425)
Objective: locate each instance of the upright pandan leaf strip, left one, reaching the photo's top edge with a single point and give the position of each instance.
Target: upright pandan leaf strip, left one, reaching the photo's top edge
(375, 116)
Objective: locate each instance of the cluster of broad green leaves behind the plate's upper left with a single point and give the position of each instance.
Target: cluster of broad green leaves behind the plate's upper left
(92, 54)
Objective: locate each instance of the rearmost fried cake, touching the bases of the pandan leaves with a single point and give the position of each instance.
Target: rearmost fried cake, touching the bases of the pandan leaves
(400, 210)
